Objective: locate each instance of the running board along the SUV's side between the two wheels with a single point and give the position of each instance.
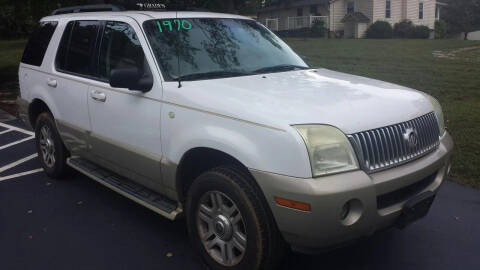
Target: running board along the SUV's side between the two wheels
(136, 192)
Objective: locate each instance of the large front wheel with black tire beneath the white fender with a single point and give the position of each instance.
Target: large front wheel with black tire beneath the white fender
(230, 187)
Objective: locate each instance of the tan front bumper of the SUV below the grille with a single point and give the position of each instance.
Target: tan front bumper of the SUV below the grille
(376, 199)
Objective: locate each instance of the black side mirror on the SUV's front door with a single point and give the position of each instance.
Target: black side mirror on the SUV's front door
(132, 79)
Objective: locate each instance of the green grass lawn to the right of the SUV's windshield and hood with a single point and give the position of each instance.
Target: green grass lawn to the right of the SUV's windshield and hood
(447, 69)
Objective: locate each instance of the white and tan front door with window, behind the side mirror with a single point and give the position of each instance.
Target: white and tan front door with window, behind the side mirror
(126, 124)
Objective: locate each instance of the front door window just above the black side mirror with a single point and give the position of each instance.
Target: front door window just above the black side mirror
(120, 49)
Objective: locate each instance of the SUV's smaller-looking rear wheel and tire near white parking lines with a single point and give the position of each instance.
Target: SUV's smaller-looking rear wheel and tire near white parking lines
(51, 150)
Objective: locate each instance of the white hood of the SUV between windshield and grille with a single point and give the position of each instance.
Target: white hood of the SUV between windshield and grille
(318, 96)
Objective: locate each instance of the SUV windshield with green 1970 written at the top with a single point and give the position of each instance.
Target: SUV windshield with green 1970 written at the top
(207, 48)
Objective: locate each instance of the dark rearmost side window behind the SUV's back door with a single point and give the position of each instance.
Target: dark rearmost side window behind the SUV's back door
(38, 44)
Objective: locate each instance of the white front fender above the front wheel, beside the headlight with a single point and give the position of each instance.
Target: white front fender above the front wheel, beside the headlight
(255, 146)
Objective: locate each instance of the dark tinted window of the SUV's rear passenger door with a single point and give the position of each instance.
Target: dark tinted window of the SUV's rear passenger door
(77, 48)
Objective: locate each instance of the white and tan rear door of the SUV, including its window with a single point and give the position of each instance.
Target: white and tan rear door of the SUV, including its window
(68, 84)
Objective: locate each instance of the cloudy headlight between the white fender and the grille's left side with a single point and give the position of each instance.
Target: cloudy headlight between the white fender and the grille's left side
(328, 148)
